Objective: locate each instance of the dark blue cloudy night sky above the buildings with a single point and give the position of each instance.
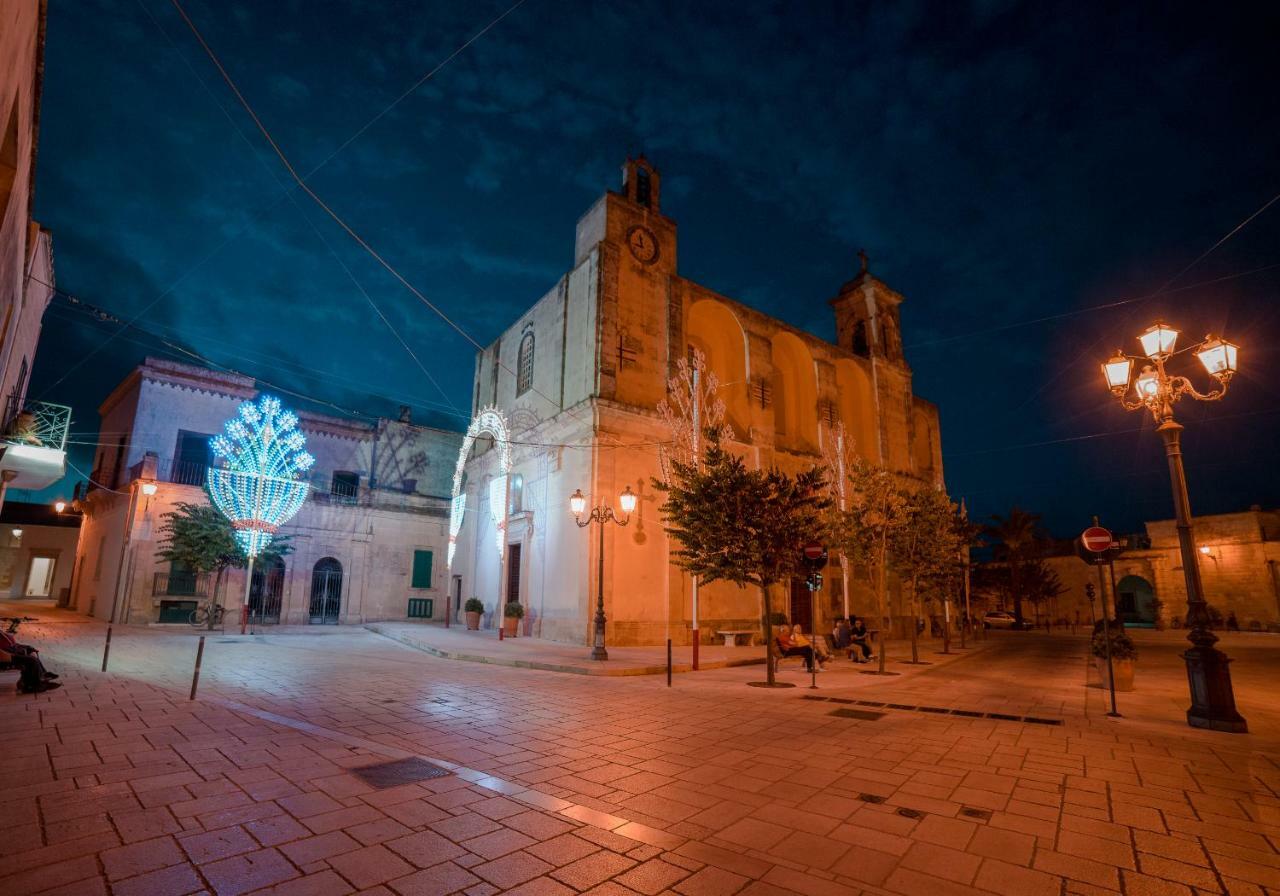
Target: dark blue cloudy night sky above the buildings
(1007, 166)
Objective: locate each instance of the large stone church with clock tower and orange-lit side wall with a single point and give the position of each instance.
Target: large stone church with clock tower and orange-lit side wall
(572, 392)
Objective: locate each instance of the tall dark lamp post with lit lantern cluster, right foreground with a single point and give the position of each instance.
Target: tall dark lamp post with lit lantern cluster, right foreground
(1155, 390)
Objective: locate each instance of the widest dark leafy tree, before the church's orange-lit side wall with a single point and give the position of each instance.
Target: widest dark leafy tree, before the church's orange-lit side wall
(739, 525)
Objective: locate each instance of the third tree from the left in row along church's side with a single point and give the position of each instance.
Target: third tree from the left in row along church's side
(925, 550)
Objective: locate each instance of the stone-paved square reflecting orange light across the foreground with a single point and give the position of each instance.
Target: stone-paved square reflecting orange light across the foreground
(564, 784)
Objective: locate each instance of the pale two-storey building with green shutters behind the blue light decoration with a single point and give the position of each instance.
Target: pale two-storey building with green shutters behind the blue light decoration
(369, 543)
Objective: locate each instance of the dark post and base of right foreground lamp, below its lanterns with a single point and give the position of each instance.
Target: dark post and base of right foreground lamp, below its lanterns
(1209, 671)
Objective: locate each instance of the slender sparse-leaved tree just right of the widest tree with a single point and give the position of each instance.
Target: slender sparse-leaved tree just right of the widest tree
(874, 510)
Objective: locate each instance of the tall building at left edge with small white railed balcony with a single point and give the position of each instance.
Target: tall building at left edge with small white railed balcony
(33, 436)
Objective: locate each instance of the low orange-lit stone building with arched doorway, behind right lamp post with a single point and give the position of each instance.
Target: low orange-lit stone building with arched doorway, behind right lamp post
(1240, 560)
